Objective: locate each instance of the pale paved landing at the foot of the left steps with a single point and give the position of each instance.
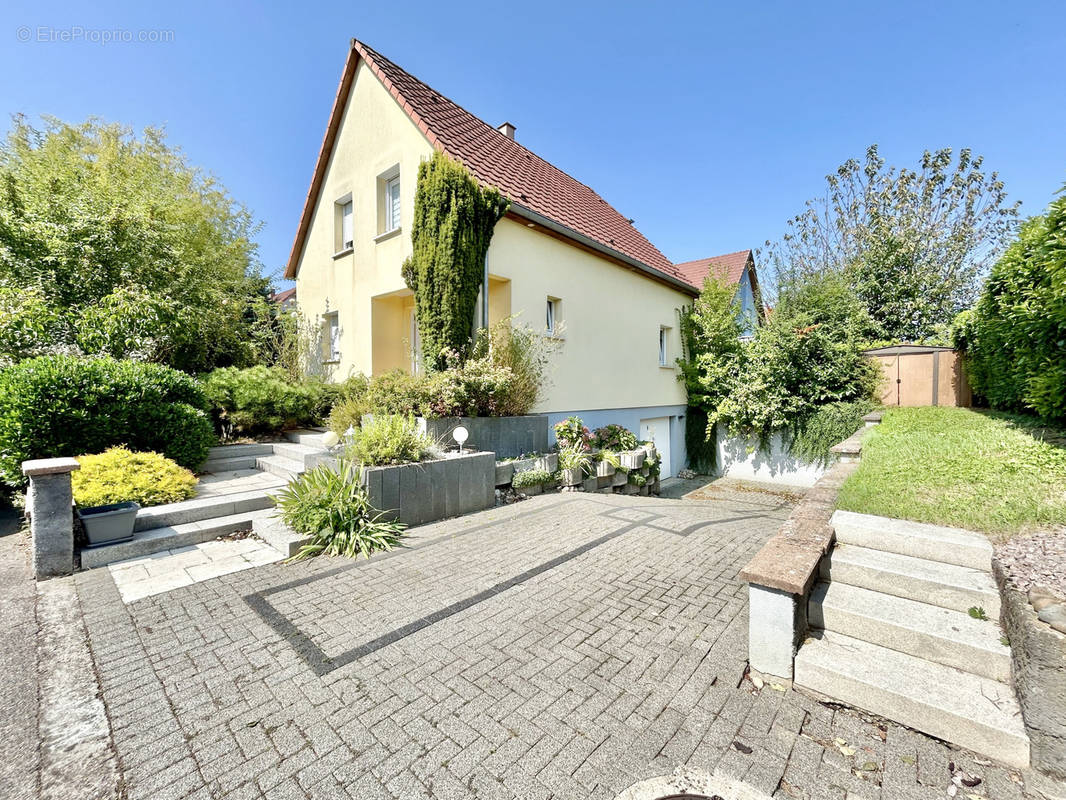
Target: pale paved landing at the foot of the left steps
(169, 570)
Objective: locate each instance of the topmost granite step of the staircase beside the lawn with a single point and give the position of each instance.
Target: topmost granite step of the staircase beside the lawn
(918, 540)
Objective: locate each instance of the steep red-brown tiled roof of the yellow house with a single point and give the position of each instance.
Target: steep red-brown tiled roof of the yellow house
(526, 179)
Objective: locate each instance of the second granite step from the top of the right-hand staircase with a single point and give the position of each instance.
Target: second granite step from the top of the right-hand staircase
(948, 586)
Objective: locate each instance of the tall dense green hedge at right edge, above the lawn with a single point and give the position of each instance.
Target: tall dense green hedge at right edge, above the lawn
(1015, 338)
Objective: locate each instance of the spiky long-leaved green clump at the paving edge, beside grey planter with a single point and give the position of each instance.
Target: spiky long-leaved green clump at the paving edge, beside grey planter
(332, 506)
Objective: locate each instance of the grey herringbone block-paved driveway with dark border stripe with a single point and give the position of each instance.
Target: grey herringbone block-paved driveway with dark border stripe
(568, 647)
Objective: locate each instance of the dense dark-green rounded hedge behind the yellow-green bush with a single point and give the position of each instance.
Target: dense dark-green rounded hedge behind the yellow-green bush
(59, 406)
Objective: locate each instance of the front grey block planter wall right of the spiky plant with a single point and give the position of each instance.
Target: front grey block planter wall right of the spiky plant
(416, 494)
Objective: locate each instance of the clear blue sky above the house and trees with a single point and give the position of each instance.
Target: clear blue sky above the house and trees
(709, 124)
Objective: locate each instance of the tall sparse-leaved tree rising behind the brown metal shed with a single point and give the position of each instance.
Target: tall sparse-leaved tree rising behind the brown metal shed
(914, 246)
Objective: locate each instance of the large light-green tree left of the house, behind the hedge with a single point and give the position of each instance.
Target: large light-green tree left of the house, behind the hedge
(134, 252)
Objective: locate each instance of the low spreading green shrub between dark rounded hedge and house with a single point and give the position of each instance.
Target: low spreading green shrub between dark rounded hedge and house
(261, 401)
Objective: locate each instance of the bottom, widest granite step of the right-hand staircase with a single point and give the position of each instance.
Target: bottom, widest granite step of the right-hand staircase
(966, 710)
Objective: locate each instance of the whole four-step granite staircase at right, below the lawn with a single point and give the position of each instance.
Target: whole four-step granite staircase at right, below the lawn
(892, 634)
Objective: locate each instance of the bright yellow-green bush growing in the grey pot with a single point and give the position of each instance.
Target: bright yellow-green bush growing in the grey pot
(120, 475)
